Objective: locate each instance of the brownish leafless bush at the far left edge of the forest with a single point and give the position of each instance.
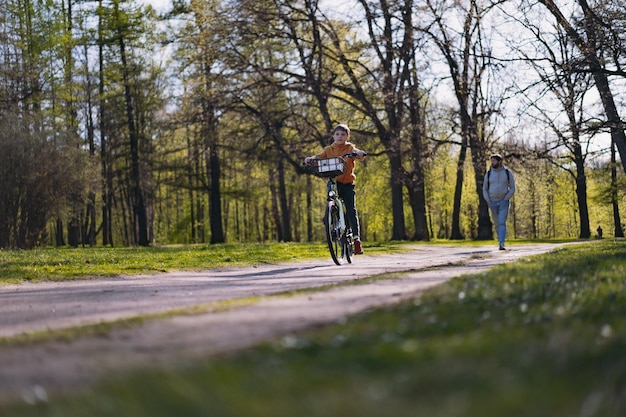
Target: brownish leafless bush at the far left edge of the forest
(37, 177)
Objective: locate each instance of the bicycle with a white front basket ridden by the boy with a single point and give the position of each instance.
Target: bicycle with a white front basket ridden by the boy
(338, 232)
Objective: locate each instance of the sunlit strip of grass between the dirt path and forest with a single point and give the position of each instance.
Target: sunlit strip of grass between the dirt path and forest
(52, 264)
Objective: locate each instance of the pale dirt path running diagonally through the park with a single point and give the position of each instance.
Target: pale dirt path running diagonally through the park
(34, 371)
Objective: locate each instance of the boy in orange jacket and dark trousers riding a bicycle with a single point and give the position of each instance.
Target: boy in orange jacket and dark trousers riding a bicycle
(345, 182)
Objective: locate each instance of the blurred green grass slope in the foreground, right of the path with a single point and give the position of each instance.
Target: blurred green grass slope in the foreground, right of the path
(541, 337)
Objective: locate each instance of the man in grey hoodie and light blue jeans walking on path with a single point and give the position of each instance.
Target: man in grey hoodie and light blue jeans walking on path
(498, 188)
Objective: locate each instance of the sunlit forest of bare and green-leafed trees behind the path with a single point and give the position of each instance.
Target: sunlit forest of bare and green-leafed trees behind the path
(122, 124)
